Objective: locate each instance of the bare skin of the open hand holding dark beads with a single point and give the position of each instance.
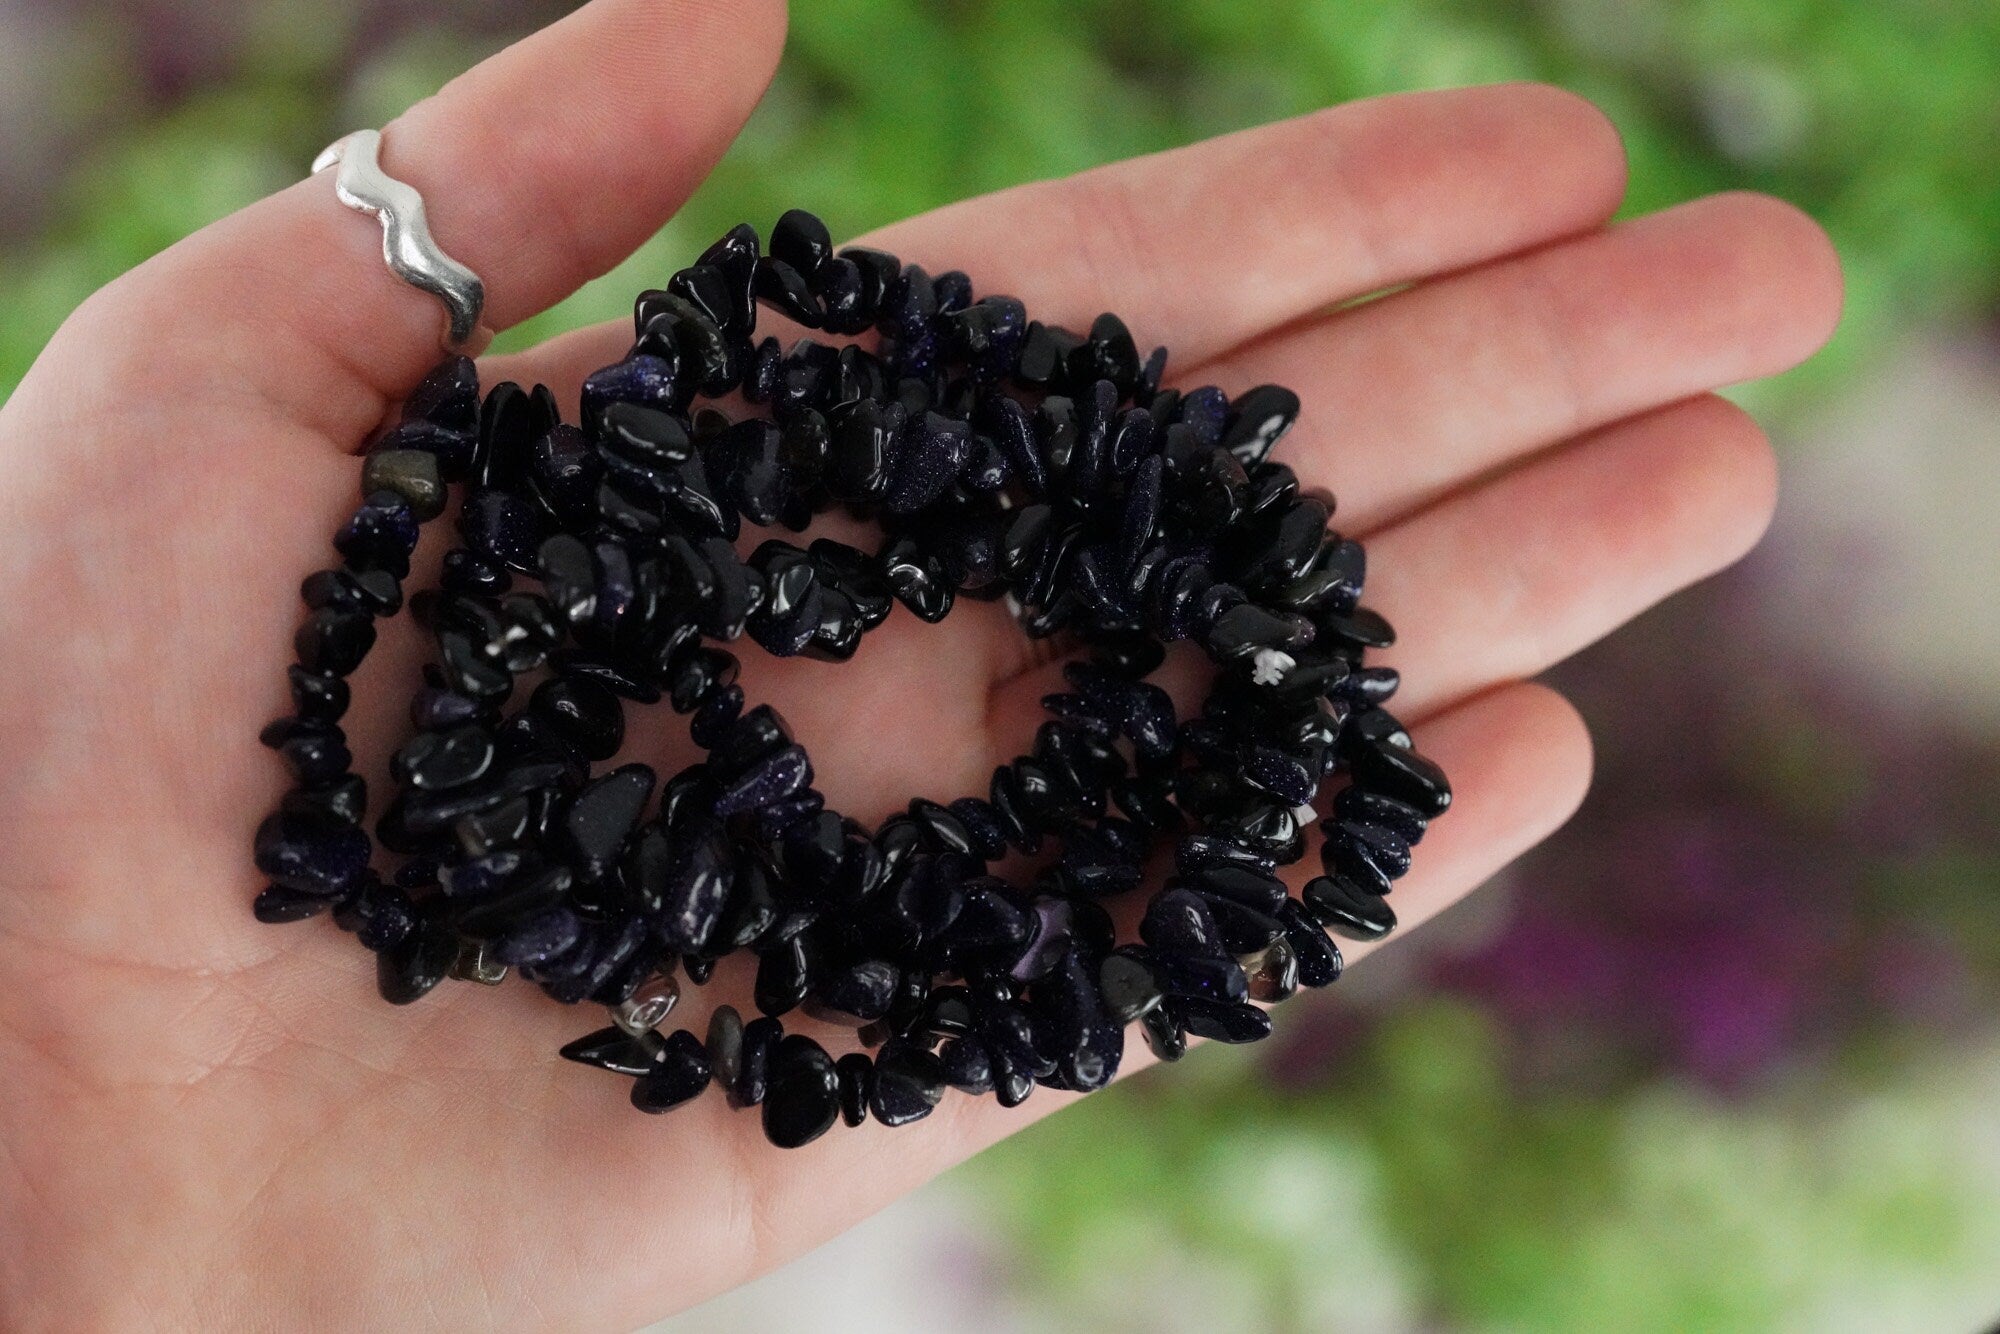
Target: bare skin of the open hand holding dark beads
(207, 1123)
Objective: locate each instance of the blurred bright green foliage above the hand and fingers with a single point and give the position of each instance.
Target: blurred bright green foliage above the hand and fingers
(1881, 119)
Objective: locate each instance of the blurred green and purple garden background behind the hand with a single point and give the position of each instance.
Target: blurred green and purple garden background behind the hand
(1725, 1055)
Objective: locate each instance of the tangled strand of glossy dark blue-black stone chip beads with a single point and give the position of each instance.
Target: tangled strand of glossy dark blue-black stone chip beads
(1003, 461)
